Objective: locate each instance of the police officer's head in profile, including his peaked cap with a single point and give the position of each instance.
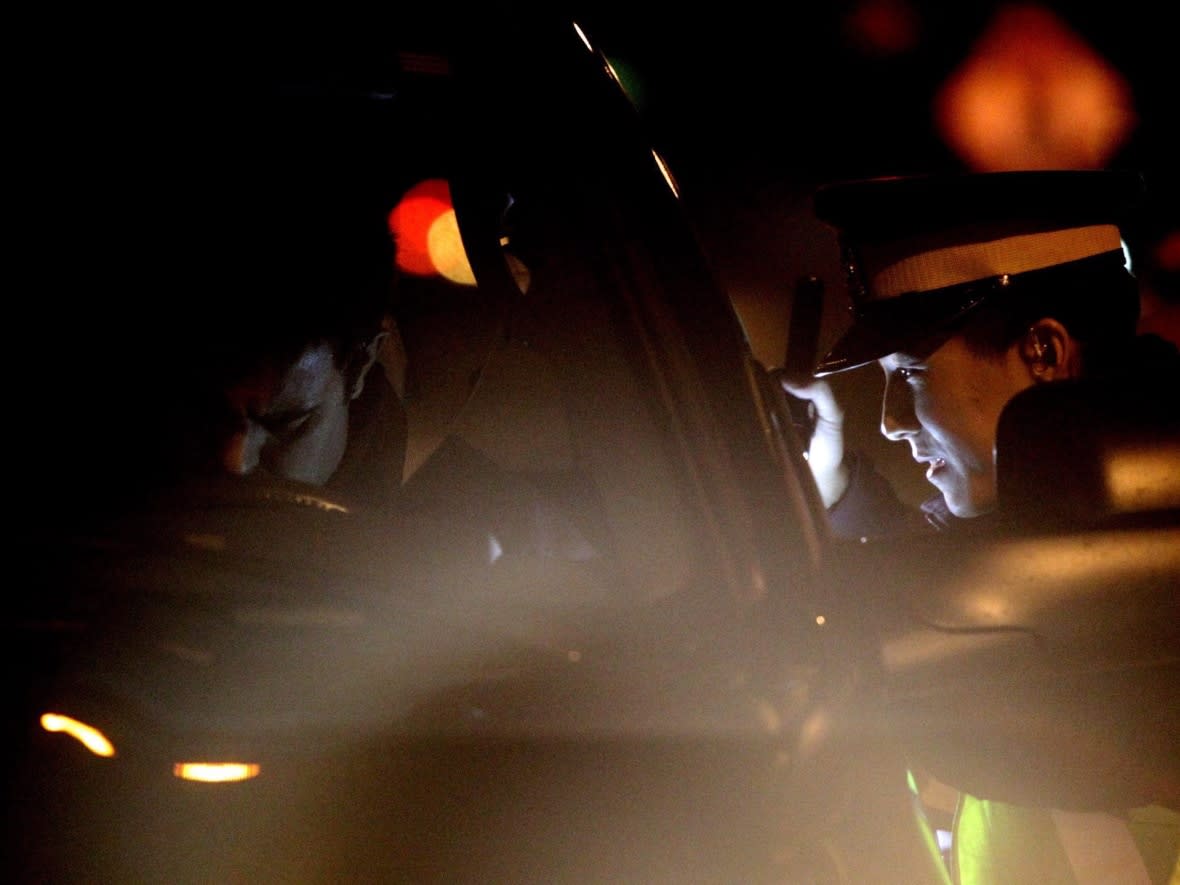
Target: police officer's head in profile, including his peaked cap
(967, 290)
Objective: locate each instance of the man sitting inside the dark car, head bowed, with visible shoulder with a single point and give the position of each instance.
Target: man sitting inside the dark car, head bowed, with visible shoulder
(311, 379)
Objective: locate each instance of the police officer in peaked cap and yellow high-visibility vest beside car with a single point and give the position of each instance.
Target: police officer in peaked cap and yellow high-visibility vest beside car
(968, 291)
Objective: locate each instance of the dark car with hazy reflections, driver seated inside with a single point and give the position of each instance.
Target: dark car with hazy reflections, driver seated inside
(258, 680)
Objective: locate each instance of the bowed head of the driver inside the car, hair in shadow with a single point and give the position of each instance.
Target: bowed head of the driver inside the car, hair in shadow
(297, 333)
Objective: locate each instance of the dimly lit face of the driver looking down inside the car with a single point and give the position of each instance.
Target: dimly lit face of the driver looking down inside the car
(290, 421)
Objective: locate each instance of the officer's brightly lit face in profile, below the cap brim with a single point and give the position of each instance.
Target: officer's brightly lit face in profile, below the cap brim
(947, 404)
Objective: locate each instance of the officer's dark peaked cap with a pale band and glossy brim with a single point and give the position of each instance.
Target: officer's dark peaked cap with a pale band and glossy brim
(922, 252)
